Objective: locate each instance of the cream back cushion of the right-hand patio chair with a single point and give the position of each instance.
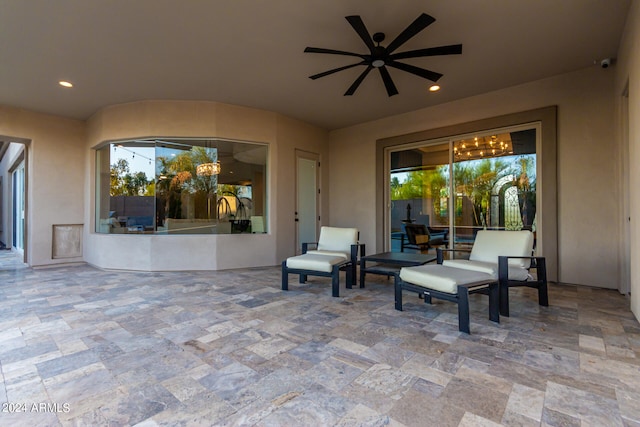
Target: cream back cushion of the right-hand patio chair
(490, 244)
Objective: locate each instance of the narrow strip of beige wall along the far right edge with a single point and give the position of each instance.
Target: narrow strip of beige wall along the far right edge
(627, 69)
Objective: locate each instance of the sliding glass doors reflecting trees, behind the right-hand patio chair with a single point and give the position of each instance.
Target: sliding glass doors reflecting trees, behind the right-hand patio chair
(463, 184)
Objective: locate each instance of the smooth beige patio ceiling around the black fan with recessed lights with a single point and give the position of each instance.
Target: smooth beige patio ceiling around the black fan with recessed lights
(250, 52)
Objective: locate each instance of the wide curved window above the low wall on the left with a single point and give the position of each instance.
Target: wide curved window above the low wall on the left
(181, 186)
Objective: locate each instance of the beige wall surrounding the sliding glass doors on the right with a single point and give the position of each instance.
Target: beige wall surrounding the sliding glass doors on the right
(588, 251)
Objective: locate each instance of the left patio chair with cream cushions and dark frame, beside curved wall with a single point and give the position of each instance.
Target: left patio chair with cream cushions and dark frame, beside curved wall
(335, 251)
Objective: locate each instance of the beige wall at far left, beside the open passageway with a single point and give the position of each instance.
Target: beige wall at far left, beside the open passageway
(55, 170)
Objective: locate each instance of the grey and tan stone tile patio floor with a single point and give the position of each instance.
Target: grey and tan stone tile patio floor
(81, 346)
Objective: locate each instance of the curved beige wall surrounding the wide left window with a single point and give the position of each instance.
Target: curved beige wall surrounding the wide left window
(203, 119)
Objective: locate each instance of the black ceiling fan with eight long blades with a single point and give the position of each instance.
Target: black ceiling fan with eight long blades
(381, 57)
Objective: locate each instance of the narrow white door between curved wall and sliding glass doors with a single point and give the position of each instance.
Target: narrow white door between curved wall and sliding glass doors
(306, 215)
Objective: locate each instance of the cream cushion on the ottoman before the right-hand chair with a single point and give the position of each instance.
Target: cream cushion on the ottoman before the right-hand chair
(441, 278)
